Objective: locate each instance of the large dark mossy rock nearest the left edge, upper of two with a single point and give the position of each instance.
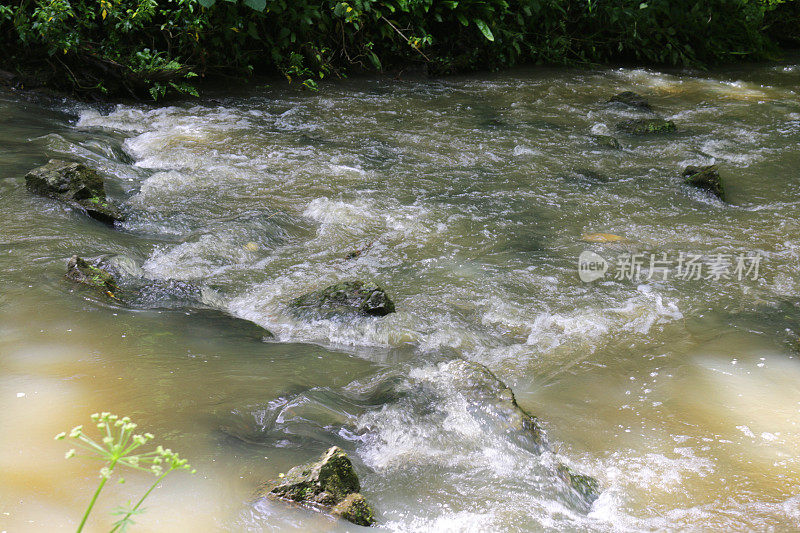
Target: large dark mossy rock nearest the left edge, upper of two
(75, 184)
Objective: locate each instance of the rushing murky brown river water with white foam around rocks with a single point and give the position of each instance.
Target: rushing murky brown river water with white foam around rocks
(469, 197)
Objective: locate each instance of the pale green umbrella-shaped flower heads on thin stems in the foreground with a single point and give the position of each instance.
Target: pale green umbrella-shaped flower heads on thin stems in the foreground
(116, 448)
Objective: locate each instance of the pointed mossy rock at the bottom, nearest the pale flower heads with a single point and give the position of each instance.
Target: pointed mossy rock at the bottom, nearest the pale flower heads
(330, 483)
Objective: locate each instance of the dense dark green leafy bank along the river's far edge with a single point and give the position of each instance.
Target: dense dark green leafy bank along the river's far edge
(158, 47)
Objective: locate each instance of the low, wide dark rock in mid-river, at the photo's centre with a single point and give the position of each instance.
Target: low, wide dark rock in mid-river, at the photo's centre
(347, 297)
